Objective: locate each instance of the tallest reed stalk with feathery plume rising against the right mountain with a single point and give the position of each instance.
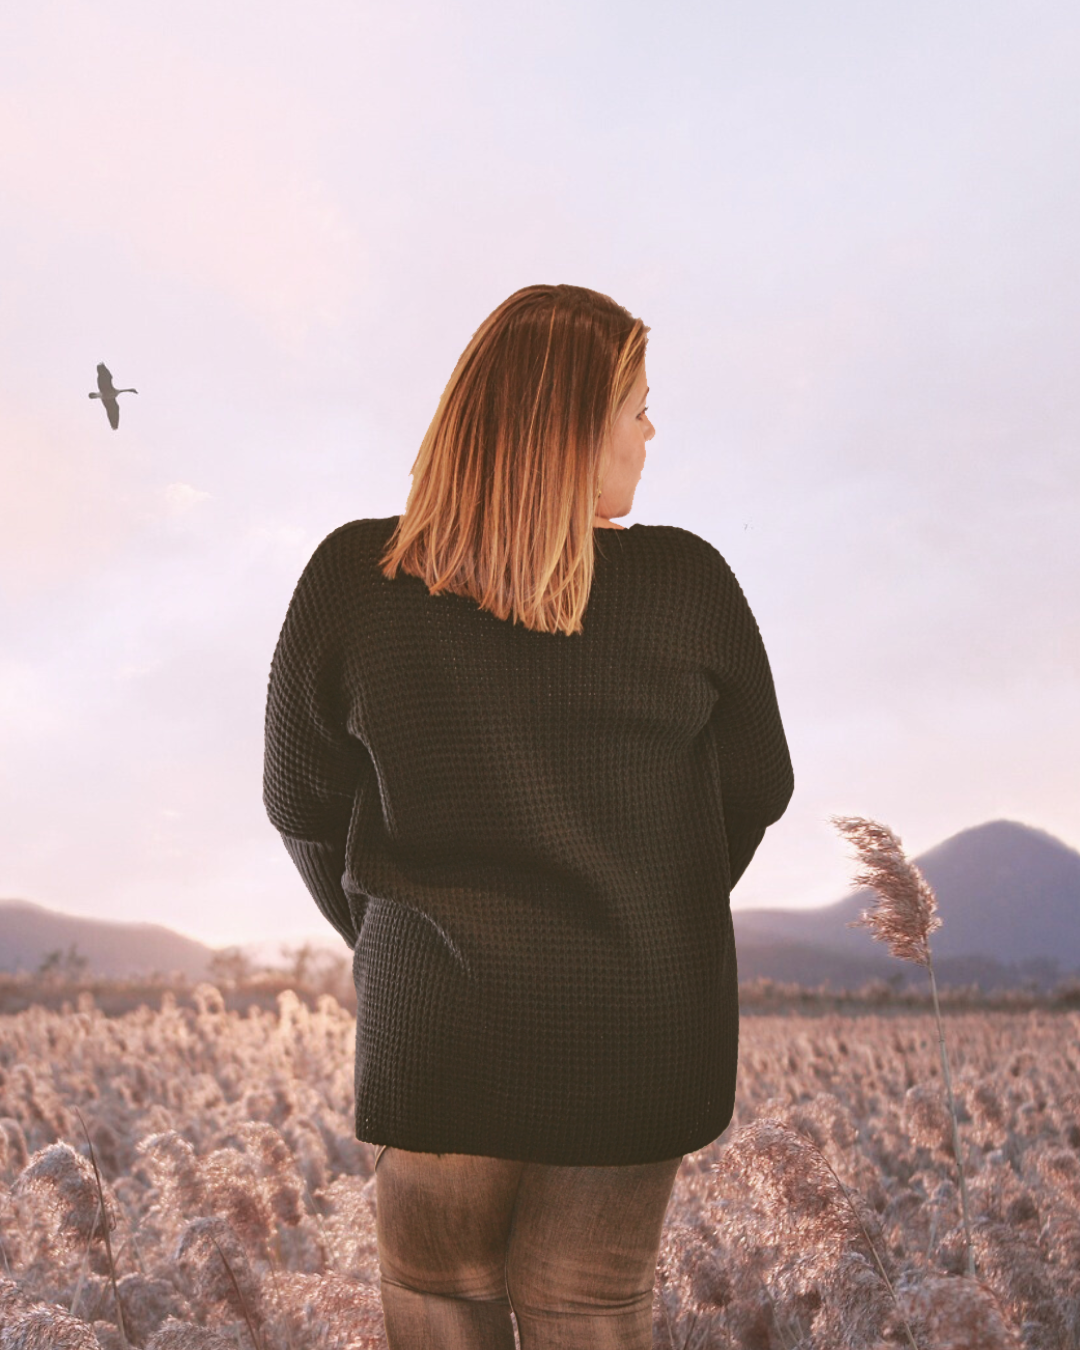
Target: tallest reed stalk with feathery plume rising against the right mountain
(904, 916)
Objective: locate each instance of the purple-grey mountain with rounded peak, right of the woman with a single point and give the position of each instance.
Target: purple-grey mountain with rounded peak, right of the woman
(1009, 901)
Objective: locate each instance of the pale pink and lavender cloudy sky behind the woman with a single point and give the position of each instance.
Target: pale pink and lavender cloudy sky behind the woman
(851, 227)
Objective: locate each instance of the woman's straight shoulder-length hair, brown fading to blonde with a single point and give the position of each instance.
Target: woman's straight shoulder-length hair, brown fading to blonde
(510, 473)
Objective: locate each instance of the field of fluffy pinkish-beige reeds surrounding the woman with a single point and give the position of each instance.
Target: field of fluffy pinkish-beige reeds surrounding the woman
(241, 1208)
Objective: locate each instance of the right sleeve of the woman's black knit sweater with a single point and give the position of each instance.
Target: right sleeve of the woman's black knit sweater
(755, 763)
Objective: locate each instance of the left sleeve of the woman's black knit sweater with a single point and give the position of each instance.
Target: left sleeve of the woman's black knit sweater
(313, 767)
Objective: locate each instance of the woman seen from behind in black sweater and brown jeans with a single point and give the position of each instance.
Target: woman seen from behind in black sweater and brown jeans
(520, 765)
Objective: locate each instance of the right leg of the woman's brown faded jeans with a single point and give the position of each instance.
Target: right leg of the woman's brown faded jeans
(583, 1258)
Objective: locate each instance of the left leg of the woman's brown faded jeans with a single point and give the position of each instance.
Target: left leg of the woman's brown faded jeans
(443, 1222)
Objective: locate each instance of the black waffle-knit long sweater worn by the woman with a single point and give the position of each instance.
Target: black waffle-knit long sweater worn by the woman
(530, 842)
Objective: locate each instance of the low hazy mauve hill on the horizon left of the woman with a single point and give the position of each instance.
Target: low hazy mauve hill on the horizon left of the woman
(30, 932)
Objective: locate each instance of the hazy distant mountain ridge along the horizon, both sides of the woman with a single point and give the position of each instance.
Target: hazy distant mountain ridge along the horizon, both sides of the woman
(1009, 897)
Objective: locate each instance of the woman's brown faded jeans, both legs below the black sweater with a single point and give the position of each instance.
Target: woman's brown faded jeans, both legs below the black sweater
(464, 1240)
